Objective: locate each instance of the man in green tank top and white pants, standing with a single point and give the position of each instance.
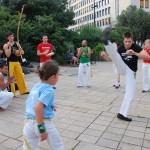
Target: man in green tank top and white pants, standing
(84, 53)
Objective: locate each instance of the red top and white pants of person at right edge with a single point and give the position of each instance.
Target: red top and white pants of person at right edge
(146, 72)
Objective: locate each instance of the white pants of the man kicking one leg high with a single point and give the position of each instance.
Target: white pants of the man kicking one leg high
(130, 81)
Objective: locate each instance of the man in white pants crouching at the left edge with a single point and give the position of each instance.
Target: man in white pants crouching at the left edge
(5, 97)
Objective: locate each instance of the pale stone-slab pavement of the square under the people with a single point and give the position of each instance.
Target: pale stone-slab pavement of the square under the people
(86, 117)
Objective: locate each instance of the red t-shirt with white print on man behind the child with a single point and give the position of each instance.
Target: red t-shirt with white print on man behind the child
(46, 48)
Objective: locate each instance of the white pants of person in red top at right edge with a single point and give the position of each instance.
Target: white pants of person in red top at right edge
(146, 76)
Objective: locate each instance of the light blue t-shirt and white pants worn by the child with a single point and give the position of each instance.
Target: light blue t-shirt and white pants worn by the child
(45, 94)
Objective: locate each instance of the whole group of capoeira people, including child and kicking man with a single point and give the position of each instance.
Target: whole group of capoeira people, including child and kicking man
(40, 104)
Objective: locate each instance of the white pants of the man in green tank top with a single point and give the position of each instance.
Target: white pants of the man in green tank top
(84, 67)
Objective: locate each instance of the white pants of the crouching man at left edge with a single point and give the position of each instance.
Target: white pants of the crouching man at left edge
(5, 98)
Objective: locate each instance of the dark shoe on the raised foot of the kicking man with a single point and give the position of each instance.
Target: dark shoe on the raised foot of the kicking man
(105, 35)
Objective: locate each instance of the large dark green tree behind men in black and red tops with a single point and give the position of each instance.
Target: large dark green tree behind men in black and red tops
(40, 17)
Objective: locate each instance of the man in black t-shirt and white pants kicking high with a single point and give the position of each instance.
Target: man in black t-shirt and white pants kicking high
(125, 60)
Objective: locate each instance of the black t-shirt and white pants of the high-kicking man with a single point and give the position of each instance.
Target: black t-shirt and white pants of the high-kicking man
(127, 66)
